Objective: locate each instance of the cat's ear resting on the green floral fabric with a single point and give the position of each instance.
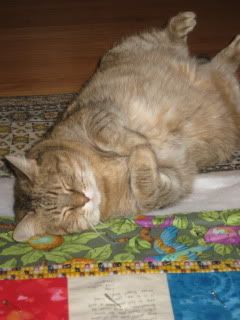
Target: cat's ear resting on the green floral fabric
(28, 227)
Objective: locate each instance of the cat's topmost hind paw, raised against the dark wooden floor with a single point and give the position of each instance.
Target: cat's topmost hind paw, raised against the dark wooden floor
(183, 23)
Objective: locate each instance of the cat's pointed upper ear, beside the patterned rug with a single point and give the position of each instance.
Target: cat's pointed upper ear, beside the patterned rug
(23, 166)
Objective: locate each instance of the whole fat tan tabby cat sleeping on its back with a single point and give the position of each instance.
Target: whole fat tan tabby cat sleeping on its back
(132, 141)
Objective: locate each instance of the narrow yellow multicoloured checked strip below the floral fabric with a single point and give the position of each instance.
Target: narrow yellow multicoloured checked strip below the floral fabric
(83, 269)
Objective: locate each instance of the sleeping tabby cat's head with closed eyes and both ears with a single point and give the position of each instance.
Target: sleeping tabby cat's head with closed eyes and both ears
(56, 193)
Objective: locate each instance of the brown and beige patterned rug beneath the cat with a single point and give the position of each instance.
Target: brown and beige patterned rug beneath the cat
(24, 120)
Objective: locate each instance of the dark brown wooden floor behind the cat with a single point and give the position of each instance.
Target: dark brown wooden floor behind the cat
(53, 46)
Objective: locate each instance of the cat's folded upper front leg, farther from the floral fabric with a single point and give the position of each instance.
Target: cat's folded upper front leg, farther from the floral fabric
(107, 131)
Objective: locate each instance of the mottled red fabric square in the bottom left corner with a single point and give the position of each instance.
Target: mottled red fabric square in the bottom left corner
(36, 299)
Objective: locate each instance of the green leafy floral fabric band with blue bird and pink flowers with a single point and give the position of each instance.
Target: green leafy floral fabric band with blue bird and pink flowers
(200, 236)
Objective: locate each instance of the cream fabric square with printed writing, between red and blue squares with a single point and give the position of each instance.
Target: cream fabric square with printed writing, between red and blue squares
(131, 297)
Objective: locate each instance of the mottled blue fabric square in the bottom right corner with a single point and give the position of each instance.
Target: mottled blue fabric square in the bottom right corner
(205, 296)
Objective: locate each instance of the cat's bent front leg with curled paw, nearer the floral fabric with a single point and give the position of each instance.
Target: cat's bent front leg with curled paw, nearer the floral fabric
(152, 186)
